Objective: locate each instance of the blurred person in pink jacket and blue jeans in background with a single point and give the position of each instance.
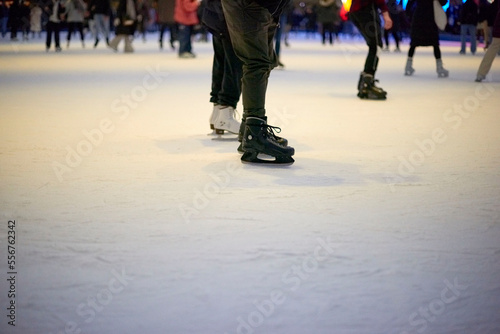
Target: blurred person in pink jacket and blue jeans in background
(186, 16)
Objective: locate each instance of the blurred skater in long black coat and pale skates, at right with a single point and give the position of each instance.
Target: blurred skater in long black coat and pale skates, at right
(424, 32)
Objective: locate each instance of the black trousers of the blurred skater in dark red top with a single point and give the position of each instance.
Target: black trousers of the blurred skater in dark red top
(367, 20)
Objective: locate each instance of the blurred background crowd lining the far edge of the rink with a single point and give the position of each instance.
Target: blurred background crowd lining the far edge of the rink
(472, 20)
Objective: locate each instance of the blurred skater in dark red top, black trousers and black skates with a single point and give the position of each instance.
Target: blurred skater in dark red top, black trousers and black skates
(364, 15)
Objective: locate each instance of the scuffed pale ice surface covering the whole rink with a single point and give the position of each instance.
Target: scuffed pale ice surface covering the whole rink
(130, 219)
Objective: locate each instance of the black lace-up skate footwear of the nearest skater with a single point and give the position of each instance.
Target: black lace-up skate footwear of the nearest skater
(259, 140)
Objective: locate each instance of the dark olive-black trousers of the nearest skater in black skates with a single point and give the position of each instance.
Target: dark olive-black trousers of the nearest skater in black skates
(252, 30)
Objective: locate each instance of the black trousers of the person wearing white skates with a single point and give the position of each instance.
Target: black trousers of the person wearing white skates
(226, 73)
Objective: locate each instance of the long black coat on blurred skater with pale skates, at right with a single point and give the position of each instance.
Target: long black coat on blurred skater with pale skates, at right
(424, 31)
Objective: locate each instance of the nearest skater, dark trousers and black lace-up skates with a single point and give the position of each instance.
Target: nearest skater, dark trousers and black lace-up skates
(252, 25)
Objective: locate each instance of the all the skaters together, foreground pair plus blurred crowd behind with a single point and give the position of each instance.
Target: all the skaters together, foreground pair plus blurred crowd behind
(246, 39)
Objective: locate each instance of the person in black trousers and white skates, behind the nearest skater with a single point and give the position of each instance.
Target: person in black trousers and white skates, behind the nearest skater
(226, 71)
